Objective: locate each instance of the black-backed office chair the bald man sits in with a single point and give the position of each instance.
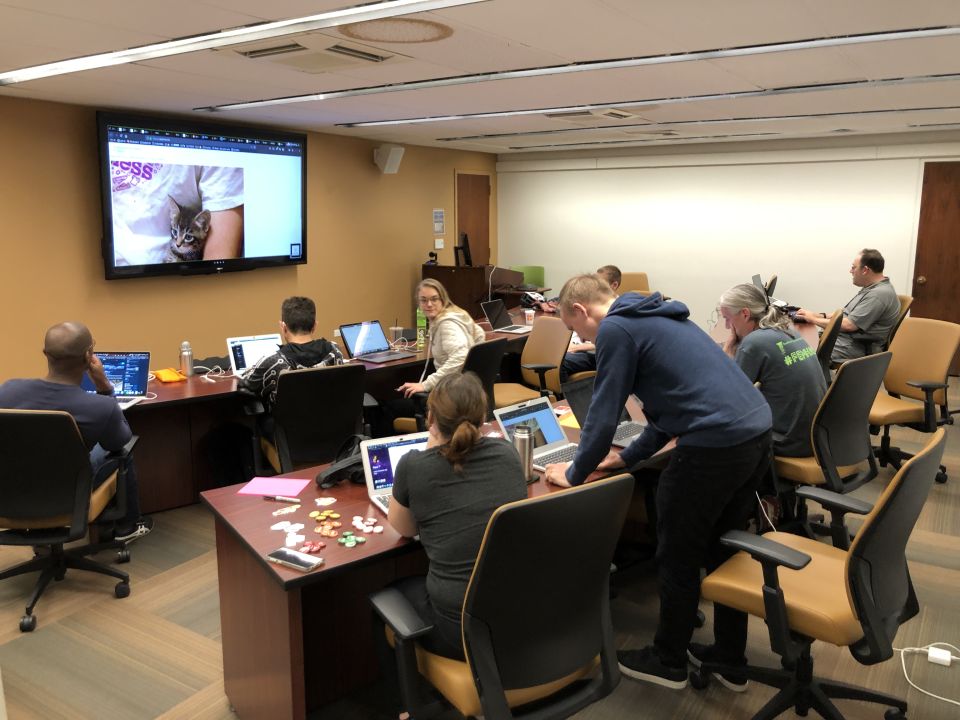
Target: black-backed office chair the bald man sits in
(46, 500)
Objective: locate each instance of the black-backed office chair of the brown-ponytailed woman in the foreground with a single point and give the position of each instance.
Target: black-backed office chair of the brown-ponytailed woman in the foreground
(522, 643)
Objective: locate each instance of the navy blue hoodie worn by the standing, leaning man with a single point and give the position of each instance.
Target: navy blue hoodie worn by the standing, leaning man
(689, 388)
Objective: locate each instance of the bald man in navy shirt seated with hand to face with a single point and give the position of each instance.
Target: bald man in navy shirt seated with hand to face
(69, 351)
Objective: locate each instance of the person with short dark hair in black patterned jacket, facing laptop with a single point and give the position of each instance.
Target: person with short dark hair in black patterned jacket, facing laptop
(299, 350)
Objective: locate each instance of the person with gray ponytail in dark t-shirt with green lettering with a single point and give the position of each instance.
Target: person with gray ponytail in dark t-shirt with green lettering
(765, 347)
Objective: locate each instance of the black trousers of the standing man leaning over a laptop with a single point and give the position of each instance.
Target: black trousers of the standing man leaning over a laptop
(703, 493)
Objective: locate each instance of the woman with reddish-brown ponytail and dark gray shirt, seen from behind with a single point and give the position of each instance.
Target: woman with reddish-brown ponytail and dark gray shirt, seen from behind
(447, 494)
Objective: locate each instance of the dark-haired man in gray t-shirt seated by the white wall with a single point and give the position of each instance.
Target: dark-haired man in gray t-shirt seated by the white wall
(874, 310)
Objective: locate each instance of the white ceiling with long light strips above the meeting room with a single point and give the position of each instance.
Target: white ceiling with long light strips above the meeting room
(665, 101)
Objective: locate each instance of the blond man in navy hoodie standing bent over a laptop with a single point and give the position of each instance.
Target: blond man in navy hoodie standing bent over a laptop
(693, 392)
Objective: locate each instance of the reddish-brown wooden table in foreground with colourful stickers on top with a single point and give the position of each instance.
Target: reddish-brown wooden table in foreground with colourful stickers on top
(294, 641)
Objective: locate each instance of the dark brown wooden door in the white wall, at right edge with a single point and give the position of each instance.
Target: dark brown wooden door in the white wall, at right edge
(936, 291)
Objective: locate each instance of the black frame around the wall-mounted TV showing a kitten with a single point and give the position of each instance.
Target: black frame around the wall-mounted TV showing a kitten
(106, 118)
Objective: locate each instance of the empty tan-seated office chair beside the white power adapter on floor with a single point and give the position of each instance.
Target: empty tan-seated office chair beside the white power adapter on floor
(855, 598)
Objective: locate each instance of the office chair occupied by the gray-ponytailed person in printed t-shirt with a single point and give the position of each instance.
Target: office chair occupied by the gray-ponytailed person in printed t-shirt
(843, 459)
